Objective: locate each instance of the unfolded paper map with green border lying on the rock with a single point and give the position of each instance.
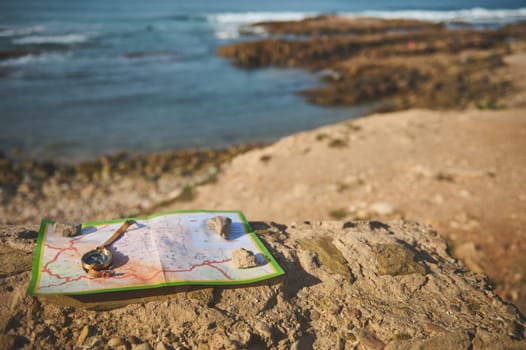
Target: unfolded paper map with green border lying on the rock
(169, 249)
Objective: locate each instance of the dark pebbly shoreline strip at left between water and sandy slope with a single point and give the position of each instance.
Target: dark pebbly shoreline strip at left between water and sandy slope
(120, 185)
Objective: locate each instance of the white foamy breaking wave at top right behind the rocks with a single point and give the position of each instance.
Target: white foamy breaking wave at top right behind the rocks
(467, 15)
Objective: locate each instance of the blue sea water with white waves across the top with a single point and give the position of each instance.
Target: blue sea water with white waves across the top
(88, 78)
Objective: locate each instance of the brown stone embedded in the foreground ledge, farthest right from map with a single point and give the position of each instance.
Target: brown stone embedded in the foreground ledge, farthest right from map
(396, 259)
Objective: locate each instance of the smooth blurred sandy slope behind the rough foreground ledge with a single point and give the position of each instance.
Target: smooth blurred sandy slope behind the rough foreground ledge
(462, 172)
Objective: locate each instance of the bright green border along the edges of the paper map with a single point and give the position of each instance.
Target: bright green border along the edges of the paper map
(37, 259)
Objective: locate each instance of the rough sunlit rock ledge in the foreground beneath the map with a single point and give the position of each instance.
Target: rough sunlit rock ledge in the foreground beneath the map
(348, 285)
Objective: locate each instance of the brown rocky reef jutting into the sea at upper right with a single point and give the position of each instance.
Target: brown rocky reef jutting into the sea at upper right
(401, 63)
